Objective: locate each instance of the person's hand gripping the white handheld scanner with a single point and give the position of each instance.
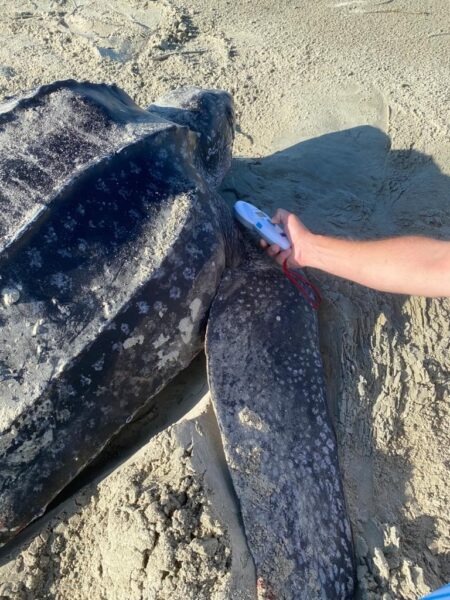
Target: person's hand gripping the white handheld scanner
(298, 236)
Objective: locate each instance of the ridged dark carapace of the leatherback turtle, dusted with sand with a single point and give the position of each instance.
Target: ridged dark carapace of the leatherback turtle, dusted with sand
(107, 273)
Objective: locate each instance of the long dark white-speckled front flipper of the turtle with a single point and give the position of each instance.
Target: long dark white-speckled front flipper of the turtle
(267, 385)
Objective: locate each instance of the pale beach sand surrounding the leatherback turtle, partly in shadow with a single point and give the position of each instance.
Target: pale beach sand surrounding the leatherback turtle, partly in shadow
(343, 117)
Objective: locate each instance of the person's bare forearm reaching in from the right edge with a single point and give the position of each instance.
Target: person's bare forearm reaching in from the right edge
(406, 265)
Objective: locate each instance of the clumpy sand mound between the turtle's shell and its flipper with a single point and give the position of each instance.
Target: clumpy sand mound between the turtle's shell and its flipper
(160, 526)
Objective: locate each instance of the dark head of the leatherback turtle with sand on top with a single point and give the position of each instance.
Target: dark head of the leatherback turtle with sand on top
(208, 113)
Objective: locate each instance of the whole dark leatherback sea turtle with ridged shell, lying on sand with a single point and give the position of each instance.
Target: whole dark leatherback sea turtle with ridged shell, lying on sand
(115, 251)
